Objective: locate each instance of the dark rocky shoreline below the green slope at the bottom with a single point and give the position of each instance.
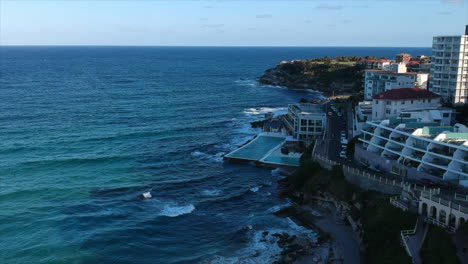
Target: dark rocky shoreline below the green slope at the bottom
(326, 216)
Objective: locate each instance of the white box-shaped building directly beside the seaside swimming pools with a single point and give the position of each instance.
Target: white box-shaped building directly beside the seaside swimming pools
(305, 121)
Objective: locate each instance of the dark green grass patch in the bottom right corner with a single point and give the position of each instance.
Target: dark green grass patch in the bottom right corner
(438, 248)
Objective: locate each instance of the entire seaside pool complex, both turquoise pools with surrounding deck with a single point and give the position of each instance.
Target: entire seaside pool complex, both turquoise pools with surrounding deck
(264, 150)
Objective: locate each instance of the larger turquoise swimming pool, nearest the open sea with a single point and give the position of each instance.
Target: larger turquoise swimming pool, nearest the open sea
(258, 148)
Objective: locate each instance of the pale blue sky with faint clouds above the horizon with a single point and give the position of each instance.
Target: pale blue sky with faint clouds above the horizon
(397, 23)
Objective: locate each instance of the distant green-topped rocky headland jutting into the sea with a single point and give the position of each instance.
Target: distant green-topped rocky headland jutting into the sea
(327, 77)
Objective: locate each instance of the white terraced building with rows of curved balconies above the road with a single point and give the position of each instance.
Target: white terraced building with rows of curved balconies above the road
(415, 149)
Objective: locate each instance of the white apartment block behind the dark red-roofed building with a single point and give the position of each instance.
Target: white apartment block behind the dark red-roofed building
(378, 81)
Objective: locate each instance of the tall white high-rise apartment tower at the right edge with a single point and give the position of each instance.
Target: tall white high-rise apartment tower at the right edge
(449, 67)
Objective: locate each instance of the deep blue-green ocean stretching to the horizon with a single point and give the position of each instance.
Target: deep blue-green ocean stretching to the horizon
(85, 130)
